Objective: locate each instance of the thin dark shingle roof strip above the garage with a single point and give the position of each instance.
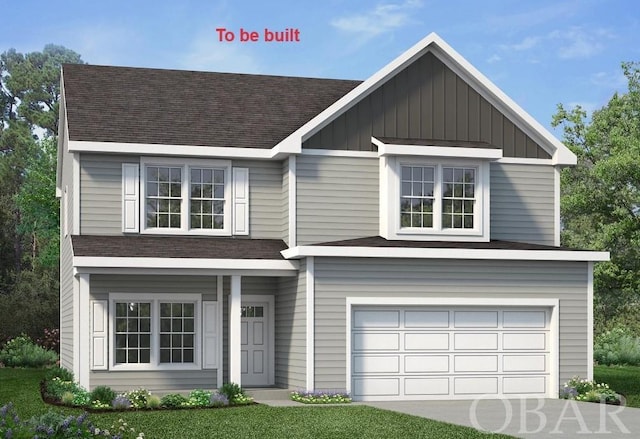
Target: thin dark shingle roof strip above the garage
(378, 241)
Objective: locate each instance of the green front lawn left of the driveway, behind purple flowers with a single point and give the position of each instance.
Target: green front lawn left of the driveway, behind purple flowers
(257, 421)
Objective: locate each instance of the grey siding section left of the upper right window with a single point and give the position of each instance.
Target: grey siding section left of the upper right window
(337, 198)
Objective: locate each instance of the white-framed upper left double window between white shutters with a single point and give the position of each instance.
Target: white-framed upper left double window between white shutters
(192, 197)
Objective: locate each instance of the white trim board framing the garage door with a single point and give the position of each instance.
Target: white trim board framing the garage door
(553, 304)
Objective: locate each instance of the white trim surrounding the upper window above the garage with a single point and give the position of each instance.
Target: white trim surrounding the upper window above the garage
(390, 173)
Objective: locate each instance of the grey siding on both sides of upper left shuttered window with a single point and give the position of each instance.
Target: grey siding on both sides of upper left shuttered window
(101, 195)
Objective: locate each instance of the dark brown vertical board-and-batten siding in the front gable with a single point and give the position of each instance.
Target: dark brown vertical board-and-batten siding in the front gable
(426, 100)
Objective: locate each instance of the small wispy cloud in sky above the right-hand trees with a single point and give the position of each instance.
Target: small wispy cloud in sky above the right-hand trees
(576, 43)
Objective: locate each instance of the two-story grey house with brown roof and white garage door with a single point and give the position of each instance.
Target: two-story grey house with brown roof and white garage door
(398, 237)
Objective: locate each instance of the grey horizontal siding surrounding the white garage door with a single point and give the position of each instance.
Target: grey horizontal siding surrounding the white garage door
(338, 278)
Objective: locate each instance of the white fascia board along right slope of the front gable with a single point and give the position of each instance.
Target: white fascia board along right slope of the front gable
(561, 155)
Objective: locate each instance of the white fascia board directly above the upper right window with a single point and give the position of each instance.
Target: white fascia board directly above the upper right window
(385, 149)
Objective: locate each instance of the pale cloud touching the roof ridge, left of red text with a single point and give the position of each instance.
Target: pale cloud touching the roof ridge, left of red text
(206, 53)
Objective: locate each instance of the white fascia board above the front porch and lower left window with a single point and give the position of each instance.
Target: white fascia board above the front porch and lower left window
(183, 263)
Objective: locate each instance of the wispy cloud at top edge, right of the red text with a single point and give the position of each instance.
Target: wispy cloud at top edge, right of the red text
(381, 19)
